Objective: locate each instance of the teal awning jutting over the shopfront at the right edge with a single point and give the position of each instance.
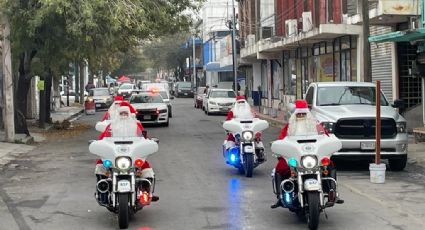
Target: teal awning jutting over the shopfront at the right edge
(399, 36)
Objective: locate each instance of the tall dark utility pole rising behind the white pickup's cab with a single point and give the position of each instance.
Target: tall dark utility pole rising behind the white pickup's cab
(367, 64)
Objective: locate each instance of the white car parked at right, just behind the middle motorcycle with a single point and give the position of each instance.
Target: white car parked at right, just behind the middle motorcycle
(219, 101)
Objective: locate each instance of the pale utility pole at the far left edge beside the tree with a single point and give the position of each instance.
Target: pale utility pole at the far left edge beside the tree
(8, 110)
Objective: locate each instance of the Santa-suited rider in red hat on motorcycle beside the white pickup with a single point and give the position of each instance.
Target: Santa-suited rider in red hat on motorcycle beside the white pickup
(301, 122)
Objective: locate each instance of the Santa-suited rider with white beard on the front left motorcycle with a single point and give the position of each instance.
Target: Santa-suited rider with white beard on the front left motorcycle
(124, 125)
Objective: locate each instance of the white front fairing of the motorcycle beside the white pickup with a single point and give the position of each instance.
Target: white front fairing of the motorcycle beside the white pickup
(298, 146)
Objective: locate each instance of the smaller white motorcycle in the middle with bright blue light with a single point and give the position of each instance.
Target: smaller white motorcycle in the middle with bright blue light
(248, 151)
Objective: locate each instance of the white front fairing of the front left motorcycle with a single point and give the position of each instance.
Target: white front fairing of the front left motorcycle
(112, 147)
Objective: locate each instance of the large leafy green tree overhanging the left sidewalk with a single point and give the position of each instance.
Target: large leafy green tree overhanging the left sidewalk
(59, 31)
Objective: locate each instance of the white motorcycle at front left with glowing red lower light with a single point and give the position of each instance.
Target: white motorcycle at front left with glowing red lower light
(123, 188)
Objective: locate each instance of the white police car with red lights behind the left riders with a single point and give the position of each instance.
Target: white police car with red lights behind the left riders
(150, 107)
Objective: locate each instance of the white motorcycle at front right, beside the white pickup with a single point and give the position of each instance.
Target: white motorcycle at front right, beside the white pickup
(310, 188)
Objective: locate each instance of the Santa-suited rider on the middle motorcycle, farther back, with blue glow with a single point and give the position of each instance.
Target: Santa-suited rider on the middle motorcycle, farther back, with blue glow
(243, 110)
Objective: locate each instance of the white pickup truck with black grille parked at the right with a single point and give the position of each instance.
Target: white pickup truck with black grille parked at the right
(347, 109)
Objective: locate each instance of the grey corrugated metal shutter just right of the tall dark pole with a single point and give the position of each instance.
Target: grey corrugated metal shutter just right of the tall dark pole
(381, 55)
